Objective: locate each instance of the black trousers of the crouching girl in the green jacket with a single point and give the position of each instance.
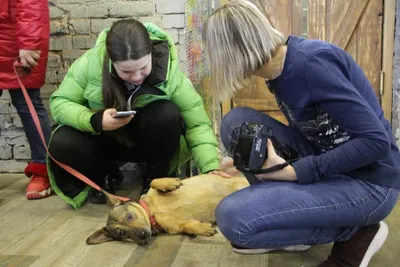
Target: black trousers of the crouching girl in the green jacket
(155, 130)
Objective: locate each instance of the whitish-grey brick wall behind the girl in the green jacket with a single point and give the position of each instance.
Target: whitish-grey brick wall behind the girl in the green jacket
(74, 28)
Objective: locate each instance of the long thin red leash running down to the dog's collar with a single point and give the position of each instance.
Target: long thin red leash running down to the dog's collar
(21, 70)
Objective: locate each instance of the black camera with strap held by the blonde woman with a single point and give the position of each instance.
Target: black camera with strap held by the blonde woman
(250, 151)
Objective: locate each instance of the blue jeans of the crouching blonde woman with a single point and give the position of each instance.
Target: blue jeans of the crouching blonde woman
(277, 214)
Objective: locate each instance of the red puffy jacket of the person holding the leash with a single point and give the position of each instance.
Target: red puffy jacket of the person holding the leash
(24, 24)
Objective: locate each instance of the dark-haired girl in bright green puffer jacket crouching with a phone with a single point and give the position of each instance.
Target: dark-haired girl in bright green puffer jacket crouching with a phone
(133, 66)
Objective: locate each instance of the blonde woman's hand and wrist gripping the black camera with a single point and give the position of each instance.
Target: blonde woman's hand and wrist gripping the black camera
(286, 174)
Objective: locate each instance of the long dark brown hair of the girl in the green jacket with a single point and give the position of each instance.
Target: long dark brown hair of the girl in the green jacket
(127, 39)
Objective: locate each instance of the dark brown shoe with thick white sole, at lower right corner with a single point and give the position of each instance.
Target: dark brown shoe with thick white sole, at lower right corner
(359, 249)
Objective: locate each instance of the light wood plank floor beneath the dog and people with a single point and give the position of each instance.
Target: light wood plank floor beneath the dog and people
(47, 232)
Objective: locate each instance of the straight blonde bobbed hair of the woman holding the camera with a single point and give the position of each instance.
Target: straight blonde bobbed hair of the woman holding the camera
(238, 40)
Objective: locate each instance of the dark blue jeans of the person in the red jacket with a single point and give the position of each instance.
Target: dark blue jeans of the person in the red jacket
(38, 151)
